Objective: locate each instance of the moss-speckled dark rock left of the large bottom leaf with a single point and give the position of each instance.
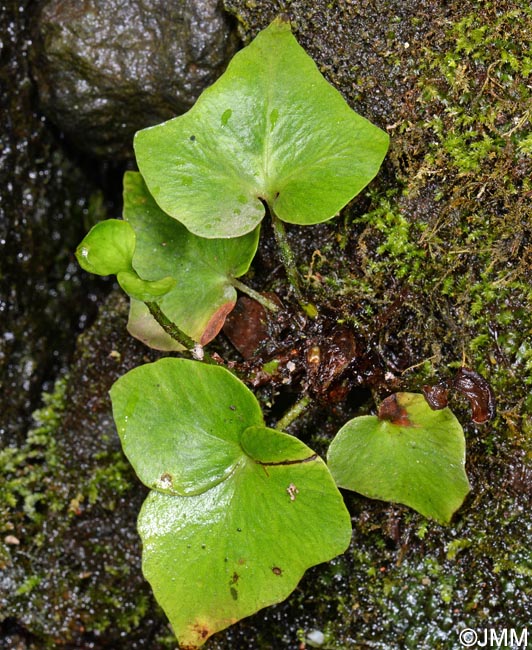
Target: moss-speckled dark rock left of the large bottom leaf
(81, 500)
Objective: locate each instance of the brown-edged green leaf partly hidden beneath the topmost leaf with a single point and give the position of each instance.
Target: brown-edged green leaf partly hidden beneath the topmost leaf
(202, 269)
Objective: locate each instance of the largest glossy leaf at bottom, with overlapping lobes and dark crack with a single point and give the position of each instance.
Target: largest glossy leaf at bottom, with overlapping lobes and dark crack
(259, 506)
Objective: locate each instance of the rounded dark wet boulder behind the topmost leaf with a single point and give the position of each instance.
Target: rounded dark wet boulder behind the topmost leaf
(107, 68)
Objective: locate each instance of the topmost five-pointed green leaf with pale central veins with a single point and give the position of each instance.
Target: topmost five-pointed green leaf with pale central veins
(270, 129)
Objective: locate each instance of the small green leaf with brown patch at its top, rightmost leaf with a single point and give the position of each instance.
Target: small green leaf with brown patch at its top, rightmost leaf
(408, 454)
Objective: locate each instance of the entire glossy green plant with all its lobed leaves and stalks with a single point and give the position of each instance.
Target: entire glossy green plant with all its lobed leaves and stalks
(230, 497)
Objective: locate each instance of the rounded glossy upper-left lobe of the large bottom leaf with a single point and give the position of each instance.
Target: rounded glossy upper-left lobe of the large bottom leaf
(180, 423)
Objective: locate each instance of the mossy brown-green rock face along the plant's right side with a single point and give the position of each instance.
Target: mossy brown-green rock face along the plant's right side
(437, 272)
